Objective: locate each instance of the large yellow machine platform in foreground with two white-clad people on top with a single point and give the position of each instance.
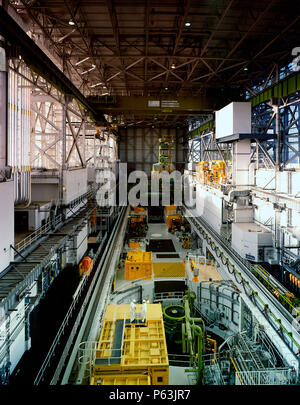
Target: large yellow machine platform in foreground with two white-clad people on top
(132, 347)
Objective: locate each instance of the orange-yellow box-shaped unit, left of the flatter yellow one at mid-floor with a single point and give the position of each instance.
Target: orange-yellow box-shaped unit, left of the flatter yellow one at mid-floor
(138, 265)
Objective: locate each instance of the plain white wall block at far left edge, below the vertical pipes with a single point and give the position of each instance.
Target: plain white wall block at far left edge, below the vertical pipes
(7, 223)
